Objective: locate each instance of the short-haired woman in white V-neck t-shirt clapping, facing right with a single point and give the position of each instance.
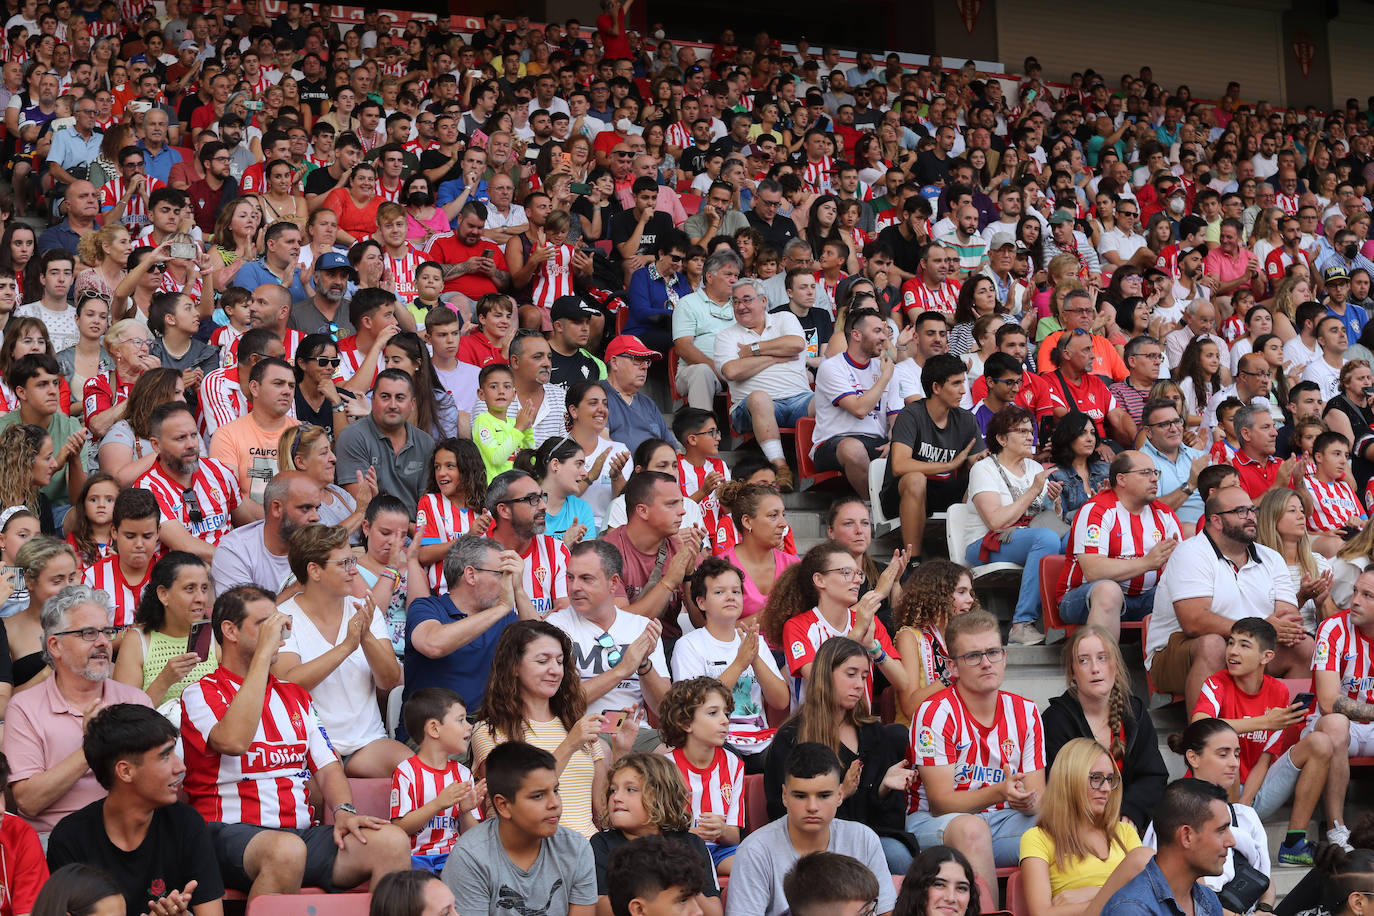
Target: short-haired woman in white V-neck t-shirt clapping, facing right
(340, 650)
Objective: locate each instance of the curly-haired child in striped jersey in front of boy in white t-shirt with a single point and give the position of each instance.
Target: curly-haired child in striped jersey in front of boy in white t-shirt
(695, 722)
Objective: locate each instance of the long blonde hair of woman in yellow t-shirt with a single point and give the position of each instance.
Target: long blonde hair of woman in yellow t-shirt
(1064, 814)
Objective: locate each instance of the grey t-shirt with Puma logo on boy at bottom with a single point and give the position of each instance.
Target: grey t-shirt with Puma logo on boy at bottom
(484, 880)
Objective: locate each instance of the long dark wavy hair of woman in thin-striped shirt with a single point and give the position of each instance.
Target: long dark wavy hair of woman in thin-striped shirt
(504, 702)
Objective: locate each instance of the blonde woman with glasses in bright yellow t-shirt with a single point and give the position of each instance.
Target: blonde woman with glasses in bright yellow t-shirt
(1081, 852)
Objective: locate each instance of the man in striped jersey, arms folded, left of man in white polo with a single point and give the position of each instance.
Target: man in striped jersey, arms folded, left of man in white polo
(1119, 543)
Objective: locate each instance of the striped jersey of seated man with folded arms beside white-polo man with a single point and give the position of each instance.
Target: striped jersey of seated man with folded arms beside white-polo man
(1107, 528)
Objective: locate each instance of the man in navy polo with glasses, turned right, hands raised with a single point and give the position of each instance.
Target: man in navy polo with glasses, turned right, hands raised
(450, 638)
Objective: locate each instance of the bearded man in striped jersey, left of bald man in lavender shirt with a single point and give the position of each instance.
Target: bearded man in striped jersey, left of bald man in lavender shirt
(199, 498)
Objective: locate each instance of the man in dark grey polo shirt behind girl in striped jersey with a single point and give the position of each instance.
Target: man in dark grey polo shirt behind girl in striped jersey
(385, 442)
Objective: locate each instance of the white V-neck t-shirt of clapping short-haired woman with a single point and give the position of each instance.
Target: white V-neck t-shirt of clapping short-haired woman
(347, 700)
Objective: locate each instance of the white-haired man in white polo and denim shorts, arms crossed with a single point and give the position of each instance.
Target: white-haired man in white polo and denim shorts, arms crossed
(763, 356)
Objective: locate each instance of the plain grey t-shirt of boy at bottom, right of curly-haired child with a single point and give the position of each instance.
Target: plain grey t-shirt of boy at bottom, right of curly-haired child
(766, 856)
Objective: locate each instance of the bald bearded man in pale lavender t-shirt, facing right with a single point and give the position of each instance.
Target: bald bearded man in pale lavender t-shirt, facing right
(258, 551)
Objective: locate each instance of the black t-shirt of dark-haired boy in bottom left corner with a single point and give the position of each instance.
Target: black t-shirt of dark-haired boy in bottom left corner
(177, 849)
